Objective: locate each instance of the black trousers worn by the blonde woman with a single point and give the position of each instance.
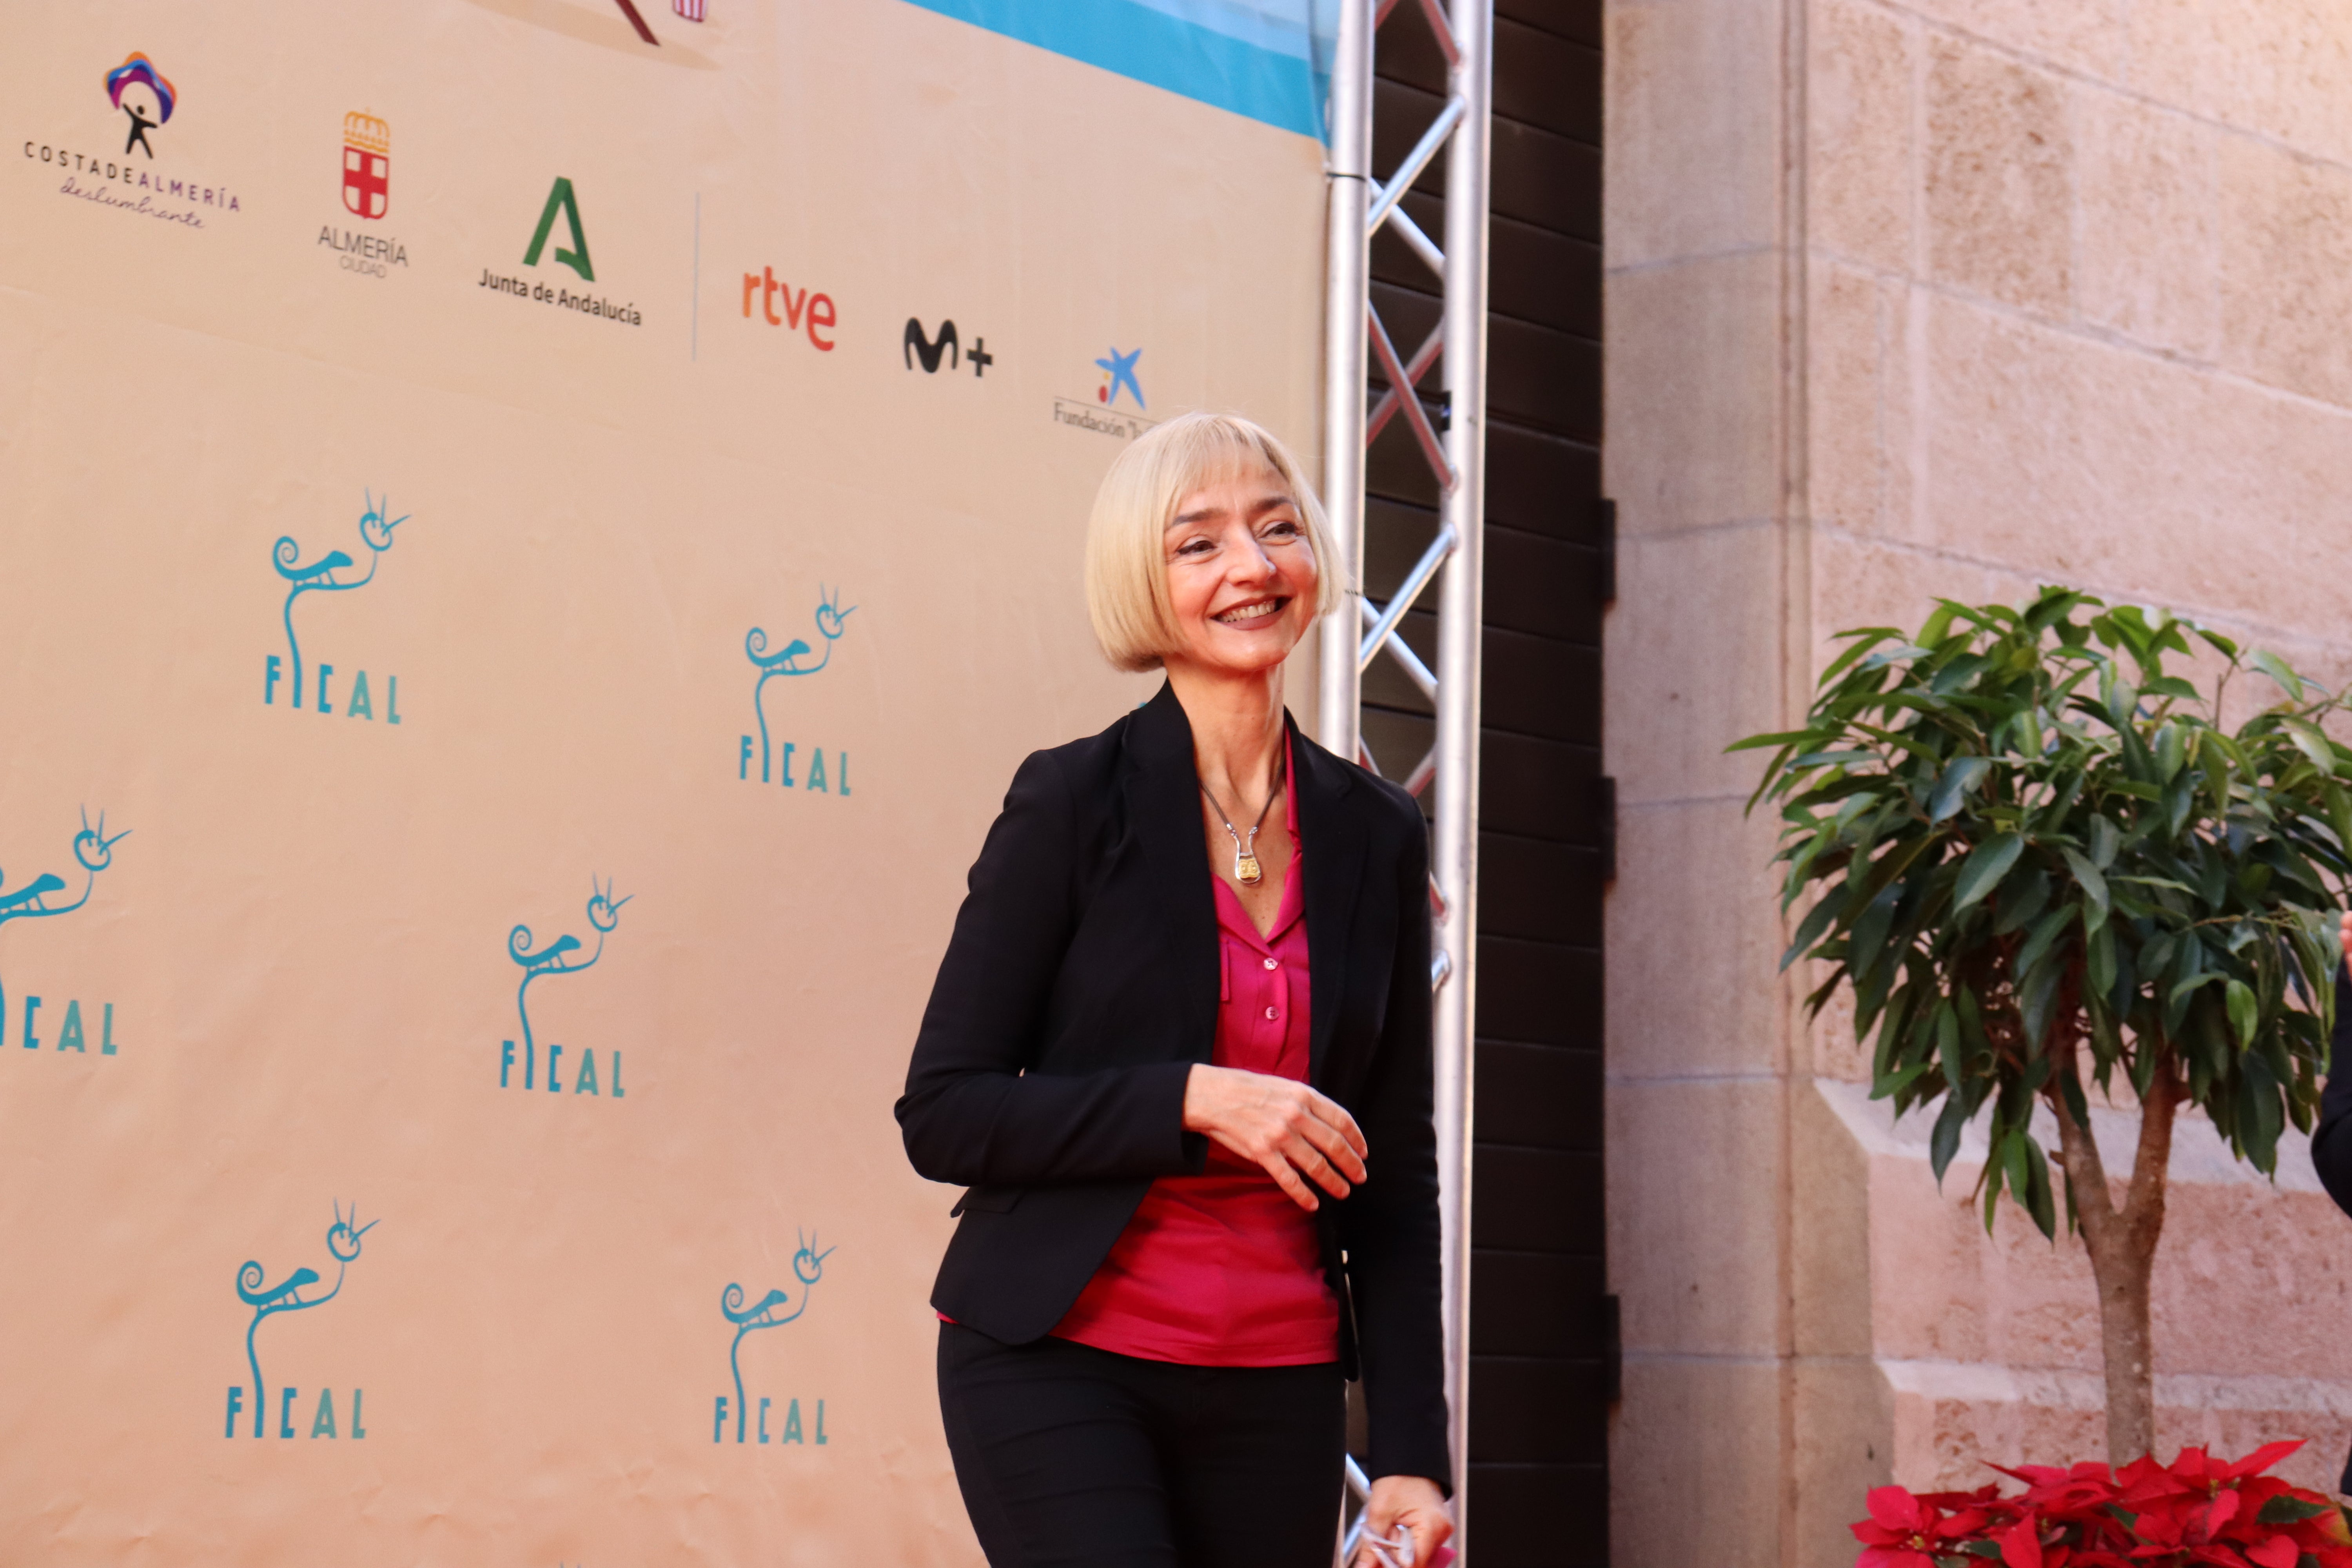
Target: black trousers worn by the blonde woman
(1081, 1456)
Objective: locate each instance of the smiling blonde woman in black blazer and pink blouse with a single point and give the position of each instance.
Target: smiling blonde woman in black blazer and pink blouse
(1163, 1050)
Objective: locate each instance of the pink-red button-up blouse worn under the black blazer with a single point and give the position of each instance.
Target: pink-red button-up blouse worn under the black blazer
(1222, 1268)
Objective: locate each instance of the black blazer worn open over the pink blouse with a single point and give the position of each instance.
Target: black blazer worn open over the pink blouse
(1083, 984)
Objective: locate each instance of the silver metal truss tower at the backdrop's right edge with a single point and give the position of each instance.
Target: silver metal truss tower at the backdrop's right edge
(1455, 448)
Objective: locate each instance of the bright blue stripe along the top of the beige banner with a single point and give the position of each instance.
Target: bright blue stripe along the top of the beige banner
(1151, 46)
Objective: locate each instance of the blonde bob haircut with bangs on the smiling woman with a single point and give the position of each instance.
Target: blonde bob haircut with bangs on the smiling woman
(1128, 572)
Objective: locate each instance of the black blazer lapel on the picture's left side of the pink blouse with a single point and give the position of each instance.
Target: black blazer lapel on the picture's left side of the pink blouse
(1163, 824)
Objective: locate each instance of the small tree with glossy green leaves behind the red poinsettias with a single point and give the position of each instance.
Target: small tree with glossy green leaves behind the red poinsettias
(2043, 866)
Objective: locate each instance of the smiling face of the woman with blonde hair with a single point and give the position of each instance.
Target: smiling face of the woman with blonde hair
(1243, 575)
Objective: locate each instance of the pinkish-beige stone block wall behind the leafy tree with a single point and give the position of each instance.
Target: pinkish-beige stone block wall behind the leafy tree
(1946, 297)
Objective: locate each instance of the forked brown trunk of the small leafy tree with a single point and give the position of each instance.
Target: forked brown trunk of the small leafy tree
(2123, 1245)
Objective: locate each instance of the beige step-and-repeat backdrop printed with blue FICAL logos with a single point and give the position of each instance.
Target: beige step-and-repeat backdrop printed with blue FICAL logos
(533, 537)
